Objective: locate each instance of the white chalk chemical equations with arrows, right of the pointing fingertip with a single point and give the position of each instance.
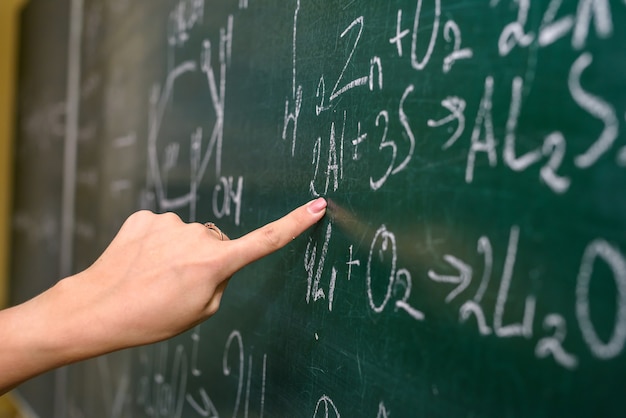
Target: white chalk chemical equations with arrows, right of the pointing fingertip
(489, 144)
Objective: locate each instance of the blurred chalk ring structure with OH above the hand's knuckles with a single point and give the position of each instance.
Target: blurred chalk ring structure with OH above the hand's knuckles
(227, 192)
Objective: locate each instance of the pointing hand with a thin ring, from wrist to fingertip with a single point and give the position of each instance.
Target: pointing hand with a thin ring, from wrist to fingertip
(161, 276)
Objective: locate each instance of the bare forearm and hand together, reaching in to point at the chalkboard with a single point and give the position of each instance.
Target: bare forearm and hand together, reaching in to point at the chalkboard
(158, 277)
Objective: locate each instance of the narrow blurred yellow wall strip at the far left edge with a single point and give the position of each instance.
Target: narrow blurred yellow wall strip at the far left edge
(8, 63)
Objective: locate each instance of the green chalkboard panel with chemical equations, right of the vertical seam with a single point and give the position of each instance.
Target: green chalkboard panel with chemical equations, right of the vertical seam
(473, 259)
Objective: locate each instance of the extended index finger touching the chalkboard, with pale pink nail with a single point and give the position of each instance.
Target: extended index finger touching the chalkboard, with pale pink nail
(275, 235)
